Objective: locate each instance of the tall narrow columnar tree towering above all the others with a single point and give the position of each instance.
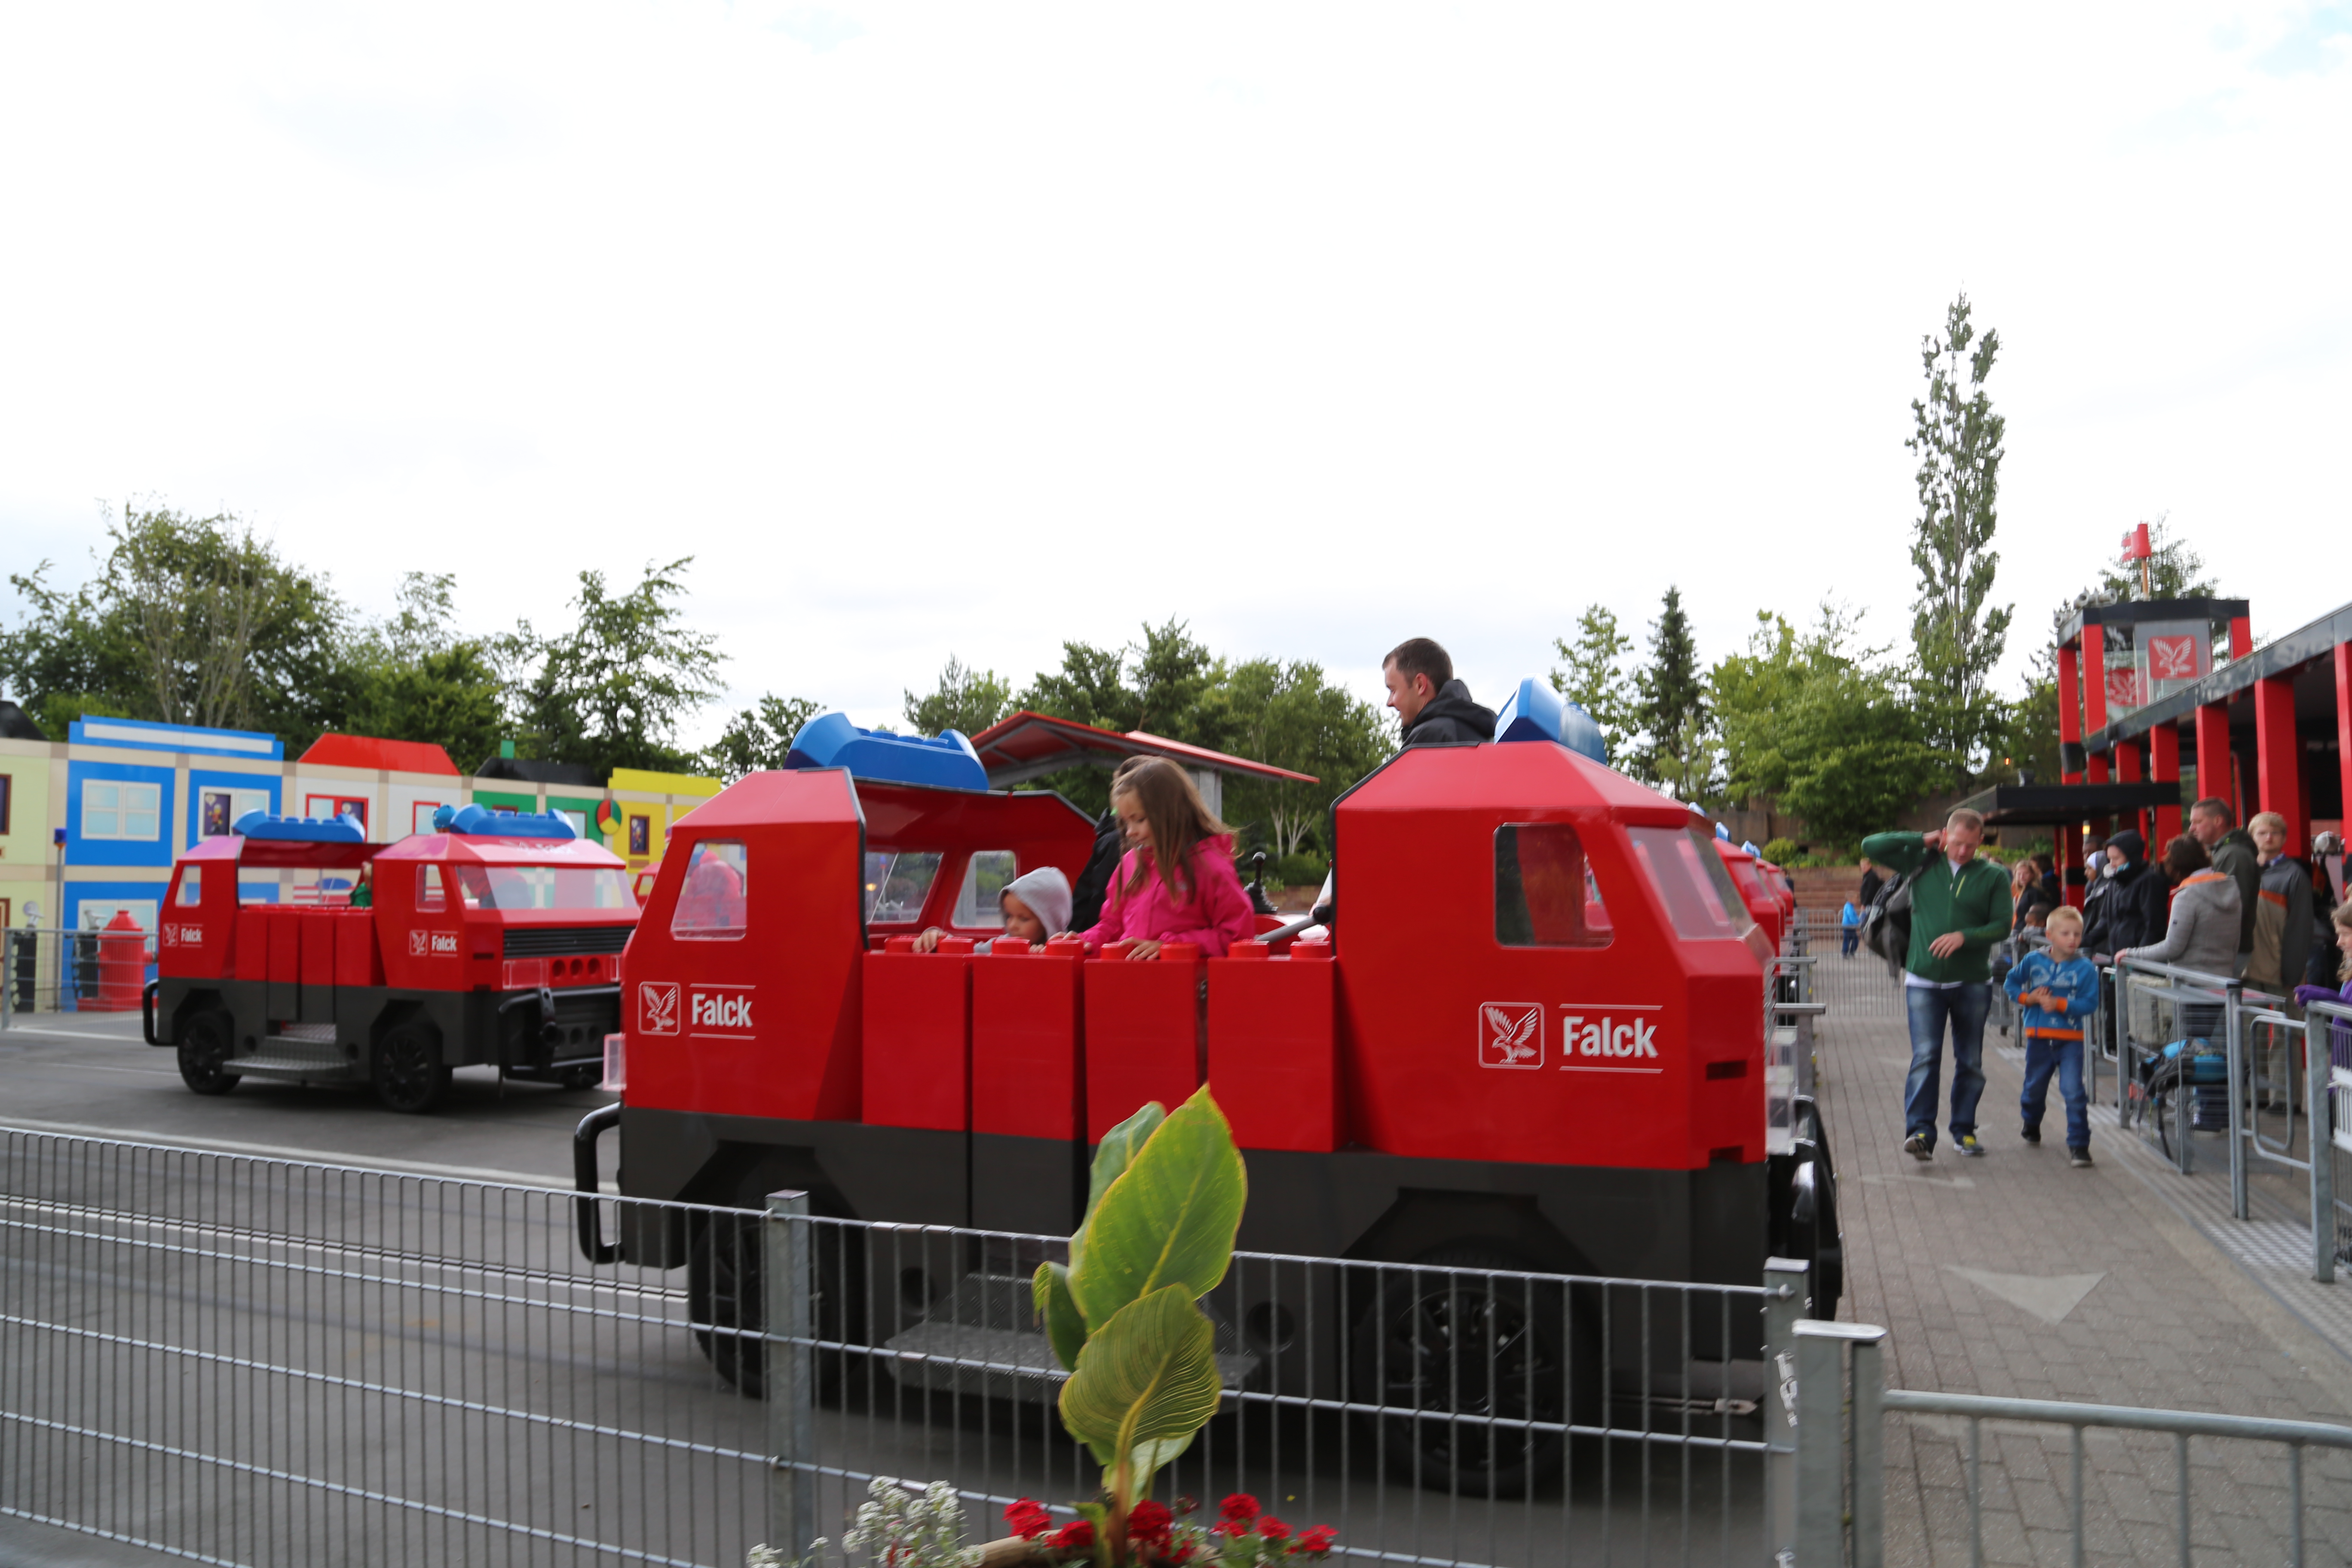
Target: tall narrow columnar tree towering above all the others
(1958, 638)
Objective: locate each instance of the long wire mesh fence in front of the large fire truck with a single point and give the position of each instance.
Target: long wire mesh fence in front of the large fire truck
(262, 1362)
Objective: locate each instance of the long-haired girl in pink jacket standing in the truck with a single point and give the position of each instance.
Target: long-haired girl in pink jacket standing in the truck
(1172, 829)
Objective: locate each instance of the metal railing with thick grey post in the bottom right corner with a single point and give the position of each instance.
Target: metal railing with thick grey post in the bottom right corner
(1843, 1470)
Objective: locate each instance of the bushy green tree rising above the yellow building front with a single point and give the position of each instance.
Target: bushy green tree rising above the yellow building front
(613, 690)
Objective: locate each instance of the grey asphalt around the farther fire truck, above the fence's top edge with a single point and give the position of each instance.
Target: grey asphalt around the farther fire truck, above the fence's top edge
(93, 1076)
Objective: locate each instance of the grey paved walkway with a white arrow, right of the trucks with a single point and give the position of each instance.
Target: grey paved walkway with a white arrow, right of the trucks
(2123, 1285)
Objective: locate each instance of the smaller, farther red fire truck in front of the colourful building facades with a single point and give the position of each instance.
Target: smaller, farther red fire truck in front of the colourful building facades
(490, 942)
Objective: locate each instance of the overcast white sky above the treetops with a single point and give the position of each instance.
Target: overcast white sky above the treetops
(973, 328)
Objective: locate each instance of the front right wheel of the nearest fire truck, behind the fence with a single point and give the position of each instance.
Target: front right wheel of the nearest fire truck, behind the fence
(1459, 1351)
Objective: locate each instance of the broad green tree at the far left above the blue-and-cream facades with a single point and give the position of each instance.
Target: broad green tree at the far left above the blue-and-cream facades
(187, 622)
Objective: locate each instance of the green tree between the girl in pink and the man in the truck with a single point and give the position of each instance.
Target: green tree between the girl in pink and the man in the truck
(1290, 716)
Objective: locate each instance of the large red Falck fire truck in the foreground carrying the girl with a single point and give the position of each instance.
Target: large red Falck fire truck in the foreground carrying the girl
(1532, 1043)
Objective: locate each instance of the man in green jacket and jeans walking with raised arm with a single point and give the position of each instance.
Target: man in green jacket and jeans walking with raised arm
(1960, 911)
